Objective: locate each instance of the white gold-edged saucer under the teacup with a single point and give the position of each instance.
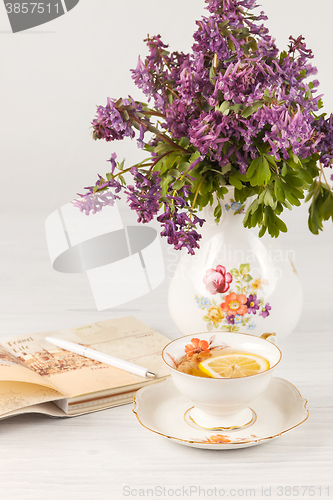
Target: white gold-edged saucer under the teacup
(161, 409)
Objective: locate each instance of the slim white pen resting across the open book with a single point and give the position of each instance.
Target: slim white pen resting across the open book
(100, 356)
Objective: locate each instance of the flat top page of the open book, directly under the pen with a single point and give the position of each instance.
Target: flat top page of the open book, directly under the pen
(74, 375)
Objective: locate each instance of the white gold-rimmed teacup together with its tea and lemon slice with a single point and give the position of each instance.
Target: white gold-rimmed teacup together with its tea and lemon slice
(221, 374)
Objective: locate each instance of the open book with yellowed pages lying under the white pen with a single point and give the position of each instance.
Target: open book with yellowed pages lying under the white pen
(37, 377)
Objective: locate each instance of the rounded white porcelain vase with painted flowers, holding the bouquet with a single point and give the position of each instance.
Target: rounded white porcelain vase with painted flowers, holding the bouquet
(236, 281)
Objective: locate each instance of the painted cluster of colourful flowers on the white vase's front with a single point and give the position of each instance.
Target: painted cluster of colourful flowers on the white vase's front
(239, 299)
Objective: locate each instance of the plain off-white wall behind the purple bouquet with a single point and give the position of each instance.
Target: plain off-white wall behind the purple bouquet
(53, 76)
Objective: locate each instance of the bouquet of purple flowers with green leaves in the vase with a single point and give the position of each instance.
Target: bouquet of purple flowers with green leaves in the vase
(235, 111)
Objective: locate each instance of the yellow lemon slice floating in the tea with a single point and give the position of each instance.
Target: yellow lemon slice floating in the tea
(234, 365)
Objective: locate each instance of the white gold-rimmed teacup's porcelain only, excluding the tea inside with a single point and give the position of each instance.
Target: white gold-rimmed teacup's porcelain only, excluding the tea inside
(223, 403)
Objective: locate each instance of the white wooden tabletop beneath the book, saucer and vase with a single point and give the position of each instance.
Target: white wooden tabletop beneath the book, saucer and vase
(108, 455)
